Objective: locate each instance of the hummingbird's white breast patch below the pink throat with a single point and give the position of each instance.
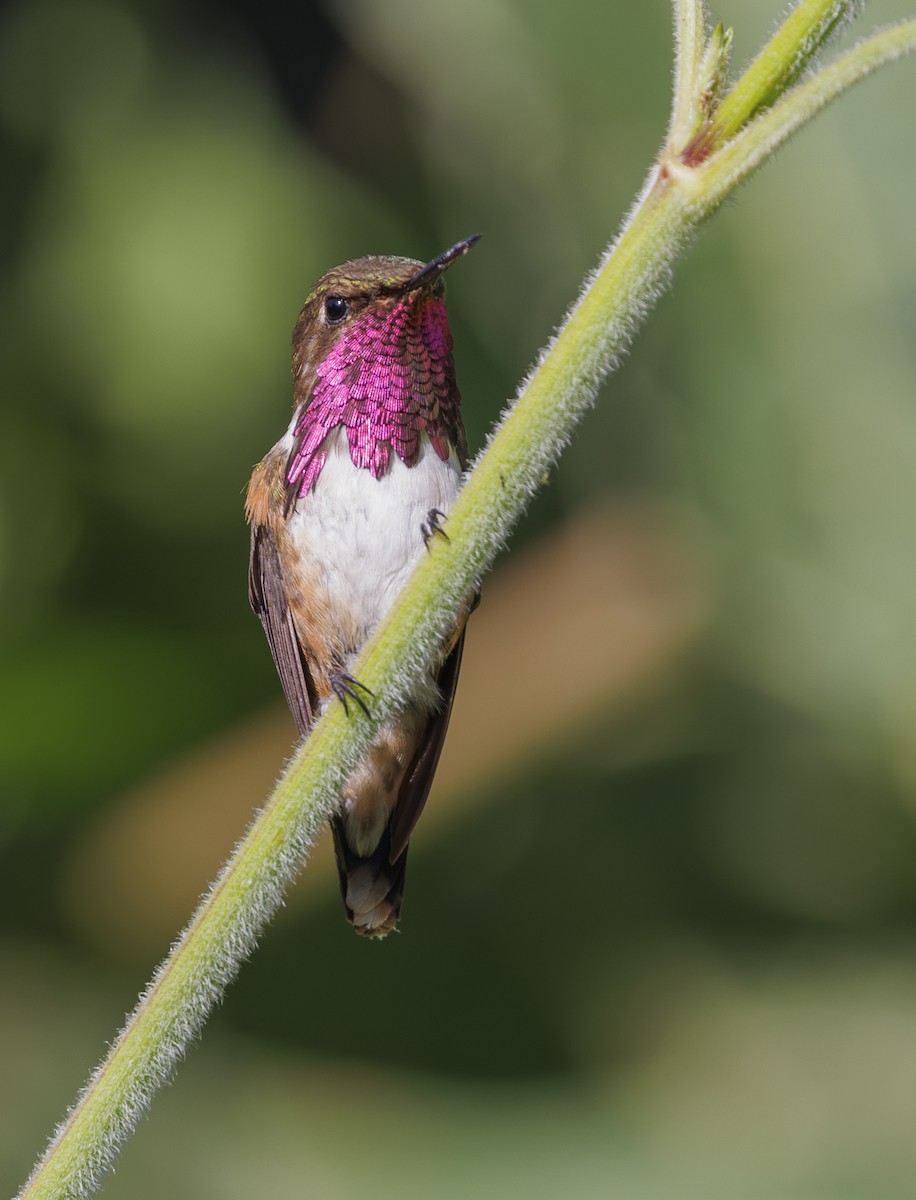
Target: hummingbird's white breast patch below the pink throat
(360, 537)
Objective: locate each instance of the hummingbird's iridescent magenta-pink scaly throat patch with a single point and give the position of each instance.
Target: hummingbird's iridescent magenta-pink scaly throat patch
(387, 381)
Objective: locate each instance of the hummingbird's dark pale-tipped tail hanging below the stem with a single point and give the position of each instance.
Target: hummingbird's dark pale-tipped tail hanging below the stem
(372, 887)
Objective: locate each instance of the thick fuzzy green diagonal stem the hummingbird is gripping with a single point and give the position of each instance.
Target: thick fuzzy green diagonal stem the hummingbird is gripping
(596, 334)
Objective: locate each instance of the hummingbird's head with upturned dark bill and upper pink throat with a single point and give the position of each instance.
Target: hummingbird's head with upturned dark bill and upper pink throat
(379, 310)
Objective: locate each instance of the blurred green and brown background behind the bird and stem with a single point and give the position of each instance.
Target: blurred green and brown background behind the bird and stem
(664, 943)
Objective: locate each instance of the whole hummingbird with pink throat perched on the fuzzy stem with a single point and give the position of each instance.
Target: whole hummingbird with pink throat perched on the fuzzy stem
(340, 511)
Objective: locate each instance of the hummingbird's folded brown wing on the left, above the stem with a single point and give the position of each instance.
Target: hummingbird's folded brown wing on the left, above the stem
(268, 599)
